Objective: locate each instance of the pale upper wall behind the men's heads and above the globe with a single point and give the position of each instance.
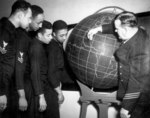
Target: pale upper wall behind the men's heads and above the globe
(72, 11)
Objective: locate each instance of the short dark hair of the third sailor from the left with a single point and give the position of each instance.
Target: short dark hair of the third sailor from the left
(45, 25)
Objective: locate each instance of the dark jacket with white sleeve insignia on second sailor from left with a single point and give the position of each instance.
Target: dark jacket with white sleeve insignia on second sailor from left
(22, 58)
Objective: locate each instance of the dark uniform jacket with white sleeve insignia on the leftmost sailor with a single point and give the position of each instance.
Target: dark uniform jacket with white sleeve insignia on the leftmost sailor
(7, 54)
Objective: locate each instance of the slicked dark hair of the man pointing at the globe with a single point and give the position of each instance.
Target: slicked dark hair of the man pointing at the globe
(127, 18)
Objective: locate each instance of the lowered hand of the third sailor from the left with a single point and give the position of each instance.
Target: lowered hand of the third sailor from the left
(42, 103)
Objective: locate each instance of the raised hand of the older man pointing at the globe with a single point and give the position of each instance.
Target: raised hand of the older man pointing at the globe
(93, 31)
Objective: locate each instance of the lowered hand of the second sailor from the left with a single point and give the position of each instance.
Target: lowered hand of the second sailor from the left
(23, 104)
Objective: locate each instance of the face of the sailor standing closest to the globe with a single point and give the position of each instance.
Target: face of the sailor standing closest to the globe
(61, 35)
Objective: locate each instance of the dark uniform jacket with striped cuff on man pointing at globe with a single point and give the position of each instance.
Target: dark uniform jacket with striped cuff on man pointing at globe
(134, 58)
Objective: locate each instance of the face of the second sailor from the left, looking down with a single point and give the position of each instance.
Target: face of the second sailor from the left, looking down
(37, 22)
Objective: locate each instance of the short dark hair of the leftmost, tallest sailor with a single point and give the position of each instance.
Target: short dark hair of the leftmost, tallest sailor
(20, 5)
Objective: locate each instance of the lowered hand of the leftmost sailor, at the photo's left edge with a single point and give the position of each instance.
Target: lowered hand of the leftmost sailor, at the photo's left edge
(3, 102)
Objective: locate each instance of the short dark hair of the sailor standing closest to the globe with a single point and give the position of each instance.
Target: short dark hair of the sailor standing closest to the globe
(59, 24)
